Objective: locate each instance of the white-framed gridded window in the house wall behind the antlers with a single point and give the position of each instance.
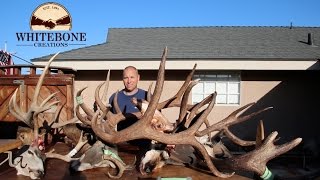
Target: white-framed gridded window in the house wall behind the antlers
(226, 85)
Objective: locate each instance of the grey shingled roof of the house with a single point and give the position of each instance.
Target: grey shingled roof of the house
(223, 42)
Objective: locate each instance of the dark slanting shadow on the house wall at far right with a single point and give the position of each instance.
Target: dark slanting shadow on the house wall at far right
(295, 113)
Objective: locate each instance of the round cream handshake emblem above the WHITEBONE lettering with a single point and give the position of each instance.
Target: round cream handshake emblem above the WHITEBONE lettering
(50, 16)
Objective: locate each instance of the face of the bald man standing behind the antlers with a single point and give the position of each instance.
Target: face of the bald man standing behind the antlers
(130, 79)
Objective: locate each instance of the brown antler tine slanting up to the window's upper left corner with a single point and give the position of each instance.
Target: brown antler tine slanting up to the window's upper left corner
(175, 100)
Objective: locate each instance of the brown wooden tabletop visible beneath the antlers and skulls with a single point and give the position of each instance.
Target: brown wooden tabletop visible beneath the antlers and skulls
(58, 169)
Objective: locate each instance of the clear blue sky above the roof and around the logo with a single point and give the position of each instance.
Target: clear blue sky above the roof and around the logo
(95, 17)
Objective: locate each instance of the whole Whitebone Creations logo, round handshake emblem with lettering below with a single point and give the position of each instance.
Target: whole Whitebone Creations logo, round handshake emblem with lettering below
(51, 25)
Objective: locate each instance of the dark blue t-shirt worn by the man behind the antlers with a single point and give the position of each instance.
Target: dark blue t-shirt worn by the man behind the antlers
(124, 101)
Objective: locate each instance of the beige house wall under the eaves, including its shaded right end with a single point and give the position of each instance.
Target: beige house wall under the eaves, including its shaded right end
(292, 94)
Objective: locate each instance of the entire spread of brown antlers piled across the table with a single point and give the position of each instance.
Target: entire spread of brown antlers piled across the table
(103, 123)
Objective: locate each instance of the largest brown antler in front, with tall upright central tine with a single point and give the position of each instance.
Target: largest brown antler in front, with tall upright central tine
(143, 130)
